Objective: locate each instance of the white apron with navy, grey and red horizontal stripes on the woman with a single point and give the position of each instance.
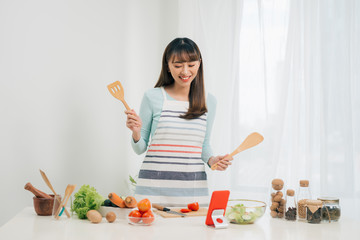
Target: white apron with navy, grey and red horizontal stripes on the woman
(173, 171)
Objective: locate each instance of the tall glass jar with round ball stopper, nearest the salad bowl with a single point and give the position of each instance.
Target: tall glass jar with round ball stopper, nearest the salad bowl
(277, 205)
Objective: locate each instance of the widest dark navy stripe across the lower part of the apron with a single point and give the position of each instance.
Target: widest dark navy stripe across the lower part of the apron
(172, 175)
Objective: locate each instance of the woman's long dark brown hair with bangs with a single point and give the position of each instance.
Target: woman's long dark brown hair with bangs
(185, 50)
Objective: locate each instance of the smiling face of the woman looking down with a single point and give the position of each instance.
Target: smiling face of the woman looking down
(183, 72)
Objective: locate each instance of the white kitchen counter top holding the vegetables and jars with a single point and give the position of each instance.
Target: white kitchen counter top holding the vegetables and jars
(27, 225)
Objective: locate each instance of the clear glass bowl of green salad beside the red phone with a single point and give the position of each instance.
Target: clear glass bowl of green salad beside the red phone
(244, 211)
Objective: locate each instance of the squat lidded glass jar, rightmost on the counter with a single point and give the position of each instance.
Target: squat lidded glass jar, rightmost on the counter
(331, 210)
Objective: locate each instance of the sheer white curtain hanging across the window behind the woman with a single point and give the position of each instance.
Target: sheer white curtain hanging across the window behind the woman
(289, 70)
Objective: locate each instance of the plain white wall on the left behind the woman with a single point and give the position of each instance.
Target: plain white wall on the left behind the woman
(56, 58)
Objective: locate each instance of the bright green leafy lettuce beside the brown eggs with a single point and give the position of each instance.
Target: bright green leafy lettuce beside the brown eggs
(86, 199)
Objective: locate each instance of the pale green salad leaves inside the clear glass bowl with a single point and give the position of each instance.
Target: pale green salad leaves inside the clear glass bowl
(239, 214)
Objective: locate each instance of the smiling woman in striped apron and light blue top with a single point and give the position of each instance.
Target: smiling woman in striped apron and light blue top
(178, 119)
